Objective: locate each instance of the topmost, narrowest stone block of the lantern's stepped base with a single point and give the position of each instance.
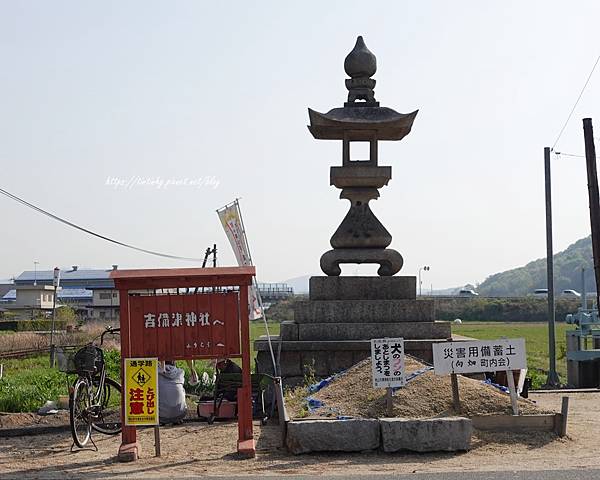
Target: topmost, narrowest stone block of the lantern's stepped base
(363, 288)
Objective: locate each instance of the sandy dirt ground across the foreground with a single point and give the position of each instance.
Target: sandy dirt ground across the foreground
(194, 449)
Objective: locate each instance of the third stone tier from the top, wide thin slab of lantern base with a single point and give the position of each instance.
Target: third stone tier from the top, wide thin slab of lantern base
(364, 331)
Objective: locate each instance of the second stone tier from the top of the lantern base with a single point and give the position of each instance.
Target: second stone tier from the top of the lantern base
(364, 311)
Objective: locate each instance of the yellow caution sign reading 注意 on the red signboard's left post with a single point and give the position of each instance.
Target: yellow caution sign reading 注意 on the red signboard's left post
(141, 391)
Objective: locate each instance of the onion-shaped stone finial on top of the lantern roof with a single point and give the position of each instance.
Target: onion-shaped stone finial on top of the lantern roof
(360, 65)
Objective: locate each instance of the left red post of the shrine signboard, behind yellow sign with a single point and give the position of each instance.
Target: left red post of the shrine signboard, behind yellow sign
(130, 448)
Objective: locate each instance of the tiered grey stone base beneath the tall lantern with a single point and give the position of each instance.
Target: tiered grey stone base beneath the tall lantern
(333, 329)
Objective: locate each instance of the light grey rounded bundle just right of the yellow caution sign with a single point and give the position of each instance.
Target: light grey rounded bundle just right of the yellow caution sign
(171, 404)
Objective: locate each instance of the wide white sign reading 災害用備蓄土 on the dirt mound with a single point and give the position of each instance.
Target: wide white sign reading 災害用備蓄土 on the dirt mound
(479, 356)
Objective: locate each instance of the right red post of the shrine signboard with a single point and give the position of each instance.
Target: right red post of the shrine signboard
(246, 444)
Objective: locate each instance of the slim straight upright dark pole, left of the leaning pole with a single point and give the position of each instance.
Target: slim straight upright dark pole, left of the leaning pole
(553, 380)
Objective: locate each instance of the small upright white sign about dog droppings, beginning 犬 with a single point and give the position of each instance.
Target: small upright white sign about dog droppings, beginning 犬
(387, 361)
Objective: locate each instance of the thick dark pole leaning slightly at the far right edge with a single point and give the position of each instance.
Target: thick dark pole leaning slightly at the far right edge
(592, 174)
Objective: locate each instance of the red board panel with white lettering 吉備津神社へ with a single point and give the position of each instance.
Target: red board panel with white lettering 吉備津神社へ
(176, 327)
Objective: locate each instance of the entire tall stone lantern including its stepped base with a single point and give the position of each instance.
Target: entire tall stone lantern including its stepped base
(332, 330)
